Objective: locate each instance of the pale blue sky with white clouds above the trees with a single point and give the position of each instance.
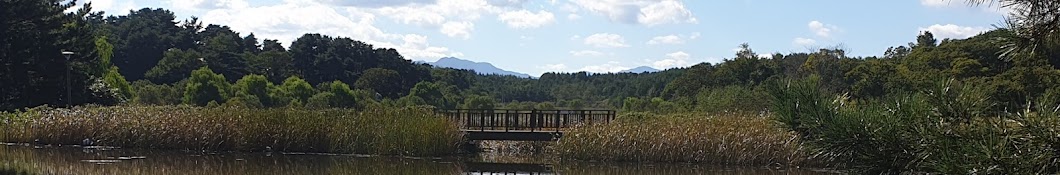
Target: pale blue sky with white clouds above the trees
(538, 37)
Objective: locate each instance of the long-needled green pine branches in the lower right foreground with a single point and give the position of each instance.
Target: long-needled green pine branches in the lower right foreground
(947, 129)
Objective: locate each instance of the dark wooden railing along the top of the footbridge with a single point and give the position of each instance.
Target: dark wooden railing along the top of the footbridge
(534, 120)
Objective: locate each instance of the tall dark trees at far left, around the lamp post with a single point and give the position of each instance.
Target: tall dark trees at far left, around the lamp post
(33, 71)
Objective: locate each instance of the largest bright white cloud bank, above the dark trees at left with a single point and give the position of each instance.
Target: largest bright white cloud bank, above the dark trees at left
(291, 20)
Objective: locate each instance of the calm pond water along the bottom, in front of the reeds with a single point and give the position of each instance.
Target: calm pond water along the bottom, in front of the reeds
(103, 161)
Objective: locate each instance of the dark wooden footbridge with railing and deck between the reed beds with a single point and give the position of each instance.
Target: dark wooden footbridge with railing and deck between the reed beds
(523, 126)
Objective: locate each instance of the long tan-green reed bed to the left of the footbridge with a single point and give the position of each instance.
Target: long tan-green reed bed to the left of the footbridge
(382, 131)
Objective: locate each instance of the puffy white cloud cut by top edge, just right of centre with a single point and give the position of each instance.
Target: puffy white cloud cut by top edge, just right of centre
(643, 12)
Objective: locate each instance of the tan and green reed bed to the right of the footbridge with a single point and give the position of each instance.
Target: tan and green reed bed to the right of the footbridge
(743, 139)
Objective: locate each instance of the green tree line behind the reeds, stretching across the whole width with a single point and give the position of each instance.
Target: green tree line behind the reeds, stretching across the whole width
(151, 58)
